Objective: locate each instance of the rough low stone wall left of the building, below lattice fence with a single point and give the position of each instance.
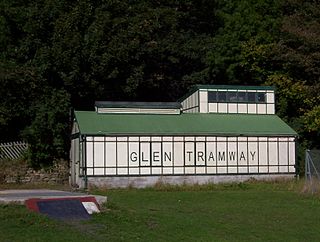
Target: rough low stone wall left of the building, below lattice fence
(19, 172)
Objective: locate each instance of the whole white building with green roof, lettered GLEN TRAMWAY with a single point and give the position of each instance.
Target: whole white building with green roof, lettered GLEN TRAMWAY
(213, 134)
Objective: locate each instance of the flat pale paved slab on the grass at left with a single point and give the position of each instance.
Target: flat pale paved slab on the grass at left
(19, 196)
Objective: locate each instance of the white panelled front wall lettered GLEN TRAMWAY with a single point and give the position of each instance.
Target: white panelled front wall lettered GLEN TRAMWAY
(180, 155)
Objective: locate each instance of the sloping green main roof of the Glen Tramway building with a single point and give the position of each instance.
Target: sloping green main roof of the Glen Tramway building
(92, 123)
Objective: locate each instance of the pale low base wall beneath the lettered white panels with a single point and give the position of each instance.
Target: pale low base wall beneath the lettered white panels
(147, 181)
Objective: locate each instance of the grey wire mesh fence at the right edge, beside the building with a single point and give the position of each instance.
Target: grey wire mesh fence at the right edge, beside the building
(312, 170)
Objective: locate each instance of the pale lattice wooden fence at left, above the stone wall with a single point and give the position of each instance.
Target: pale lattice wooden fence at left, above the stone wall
(12, 150)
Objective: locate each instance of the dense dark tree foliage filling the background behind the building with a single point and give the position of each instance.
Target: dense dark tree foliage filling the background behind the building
(57, 54)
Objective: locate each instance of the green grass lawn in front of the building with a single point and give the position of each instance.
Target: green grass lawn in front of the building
(251, 211)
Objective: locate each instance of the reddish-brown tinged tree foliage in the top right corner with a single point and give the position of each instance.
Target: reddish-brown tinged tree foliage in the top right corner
(299, 46)
